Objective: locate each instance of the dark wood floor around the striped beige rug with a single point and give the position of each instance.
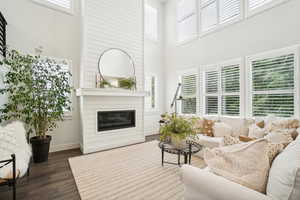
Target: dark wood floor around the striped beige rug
(50, 180)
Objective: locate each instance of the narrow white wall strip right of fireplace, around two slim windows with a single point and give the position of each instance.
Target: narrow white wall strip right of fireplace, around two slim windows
(154, 65)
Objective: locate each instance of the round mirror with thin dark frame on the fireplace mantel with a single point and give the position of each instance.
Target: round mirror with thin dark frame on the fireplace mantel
(117, 69)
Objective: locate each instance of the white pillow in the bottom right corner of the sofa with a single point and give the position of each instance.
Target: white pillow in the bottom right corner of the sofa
(284, 175)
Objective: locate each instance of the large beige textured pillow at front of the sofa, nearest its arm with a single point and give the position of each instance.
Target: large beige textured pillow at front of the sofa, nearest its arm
(245, 163)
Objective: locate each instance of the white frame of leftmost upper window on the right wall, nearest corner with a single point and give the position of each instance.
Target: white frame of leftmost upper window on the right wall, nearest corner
(187, 17)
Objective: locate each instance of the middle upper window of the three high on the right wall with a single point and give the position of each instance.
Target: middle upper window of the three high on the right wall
(215, 13)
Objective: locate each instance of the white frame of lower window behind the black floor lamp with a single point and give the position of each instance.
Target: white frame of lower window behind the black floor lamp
(188, 72)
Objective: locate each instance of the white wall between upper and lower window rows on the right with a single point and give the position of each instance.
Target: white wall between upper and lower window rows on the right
(275, 28)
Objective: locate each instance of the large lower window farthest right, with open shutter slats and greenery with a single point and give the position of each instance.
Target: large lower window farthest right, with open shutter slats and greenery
(273, 84)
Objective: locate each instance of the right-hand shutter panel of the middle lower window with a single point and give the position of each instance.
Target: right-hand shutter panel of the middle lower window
(230, 83)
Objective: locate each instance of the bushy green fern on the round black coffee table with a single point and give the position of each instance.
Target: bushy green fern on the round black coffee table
(177, 128)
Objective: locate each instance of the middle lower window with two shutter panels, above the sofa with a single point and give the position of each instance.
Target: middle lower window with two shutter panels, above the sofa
(222, 90)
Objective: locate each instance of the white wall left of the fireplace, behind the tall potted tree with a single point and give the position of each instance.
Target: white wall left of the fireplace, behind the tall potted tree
(31, 25)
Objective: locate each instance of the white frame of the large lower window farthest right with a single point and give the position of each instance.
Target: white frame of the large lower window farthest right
(270, 54)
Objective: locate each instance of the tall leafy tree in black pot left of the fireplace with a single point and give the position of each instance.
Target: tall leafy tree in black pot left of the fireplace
(38, 93)
